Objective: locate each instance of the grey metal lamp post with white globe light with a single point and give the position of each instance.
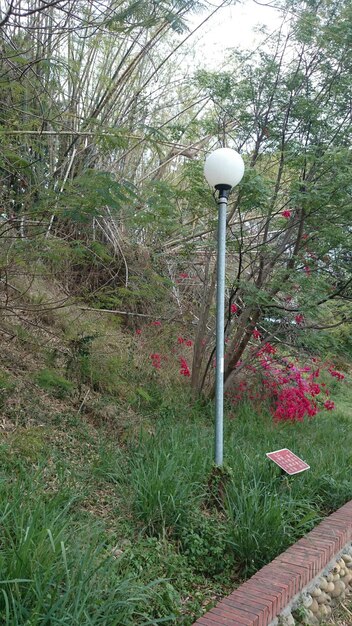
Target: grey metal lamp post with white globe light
(223, 169)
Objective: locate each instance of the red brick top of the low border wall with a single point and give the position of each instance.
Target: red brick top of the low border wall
(262, 599)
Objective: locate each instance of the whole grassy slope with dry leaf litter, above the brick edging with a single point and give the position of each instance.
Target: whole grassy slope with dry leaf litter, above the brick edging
(111, 512)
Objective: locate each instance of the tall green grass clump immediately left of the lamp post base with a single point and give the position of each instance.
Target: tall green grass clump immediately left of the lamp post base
(166, 476)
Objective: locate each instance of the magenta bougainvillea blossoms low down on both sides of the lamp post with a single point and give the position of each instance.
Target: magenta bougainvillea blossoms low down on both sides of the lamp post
(293, 390)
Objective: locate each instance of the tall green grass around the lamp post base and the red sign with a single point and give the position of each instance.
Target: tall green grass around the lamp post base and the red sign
(263, 512)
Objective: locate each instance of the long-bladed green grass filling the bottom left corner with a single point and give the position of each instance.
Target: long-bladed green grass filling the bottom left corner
(53, 572)
